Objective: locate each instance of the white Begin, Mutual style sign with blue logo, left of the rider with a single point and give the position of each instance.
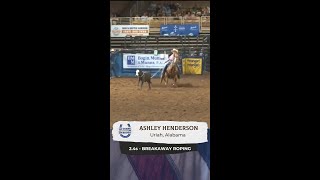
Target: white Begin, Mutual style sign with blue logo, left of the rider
(144, 61)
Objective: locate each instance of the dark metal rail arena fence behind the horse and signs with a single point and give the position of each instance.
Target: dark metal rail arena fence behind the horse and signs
(187, 46)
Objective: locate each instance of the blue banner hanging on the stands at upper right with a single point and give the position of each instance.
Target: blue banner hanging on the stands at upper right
(180, 30)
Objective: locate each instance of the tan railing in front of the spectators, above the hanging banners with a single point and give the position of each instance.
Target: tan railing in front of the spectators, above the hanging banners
(155, 22)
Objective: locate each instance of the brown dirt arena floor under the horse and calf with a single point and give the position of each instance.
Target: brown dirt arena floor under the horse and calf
(190, 101)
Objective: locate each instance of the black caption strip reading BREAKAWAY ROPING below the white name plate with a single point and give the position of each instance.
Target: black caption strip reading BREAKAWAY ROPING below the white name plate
(135, 148)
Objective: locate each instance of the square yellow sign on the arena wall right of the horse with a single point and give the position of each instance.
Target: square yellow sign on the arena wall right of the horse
(192, 65)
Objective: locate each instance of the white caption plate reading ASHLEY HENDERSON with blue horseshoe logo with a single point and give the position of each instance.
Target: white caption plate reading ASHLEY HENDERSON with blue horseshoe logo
(166, 132)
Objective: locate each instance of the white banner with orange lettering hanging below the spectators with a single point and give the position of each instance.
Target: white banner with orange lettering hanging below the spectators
(129, 30)
